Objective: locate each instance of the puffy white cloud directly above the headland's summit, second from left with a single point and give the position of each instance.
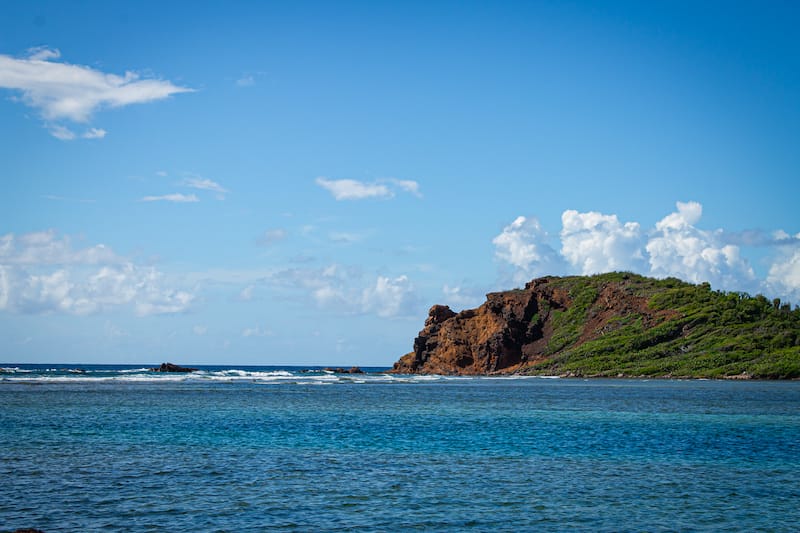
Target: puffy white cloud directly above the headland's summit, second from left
(593, 243)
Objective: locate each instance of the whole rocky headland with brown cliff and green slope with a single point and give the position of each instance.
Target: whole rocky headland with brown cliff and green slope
(615, 325)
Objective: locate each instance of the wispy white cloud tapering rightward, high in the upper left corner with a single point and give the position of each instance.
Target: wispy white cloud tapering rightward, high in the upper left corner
(62, 91)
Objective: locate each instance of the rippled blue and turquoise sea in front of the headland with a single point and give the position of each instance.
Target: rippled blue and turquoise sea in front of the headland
(119, 448)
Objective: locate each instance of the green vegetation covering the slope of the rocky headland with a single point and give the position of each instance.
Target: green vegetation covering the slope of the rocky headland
(701, 333)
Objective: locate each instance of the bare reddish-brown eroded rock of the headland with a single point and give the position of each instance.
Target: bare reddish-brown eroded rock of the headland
(509, 331)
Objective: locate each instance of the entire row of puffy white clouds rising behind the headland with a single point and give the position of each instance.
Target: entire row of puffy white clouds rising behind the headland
(594, 242)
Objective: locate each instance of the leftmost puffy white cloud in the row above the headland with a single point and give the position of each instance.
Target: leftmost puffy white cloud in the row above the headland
(523, 245)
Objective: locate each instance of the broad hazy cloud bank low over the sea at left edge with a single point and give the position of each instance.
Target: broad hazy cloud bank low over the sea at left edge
(42, 273)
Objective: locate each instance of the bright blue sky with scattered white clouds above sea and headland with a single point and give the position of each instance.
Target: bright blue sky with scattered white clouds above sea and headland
(296, 183)
